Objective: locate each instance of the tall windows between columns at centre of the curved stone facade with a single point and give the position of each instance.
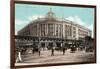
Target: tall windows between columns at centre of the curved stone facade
(51, 29)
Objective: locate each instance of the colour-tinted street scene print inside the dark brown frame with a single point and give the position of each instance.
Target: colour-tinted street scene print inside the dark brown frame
(47, 34)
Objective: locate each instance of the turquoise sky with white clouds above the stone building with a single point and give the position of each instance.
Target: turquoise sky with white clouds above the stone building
(25, 13)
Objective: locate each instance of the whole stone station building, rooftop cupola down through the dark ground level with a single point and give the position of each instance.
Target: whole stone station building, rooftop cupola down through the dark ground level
(52, 31)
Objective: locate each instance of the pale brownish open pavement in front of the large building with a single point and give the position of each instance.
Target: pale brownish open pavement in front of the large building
(45, 57)
